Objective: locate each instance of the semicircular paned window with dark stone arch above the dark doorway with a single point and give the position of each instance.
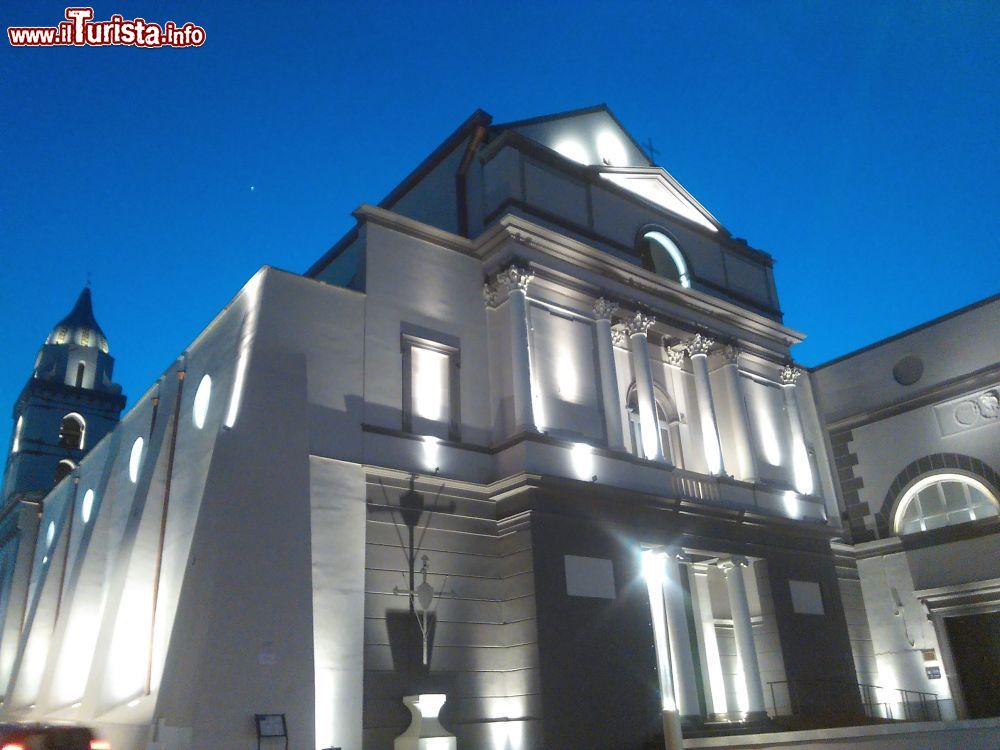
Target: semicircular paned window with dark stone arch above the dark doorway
(941, 500)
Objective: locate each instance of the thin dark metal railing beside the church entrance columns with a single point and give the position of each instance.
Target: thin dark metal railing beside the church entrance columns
(835, 697)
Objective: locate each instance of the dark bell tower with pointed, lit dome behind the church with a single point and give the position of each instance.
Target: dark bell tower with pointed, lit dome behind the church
(68, 404)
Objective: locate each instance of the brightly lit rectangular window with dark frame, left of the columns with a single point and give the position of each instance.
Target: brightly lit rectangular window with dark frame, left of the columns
(430, 388)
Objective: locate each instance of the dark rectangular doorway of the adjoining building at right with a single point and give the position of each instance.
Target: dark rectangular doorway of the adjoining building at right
(975, 646)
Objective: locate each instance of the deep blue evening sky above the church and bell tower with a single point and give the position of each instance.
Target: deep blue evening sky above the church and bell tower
(856, 142)
